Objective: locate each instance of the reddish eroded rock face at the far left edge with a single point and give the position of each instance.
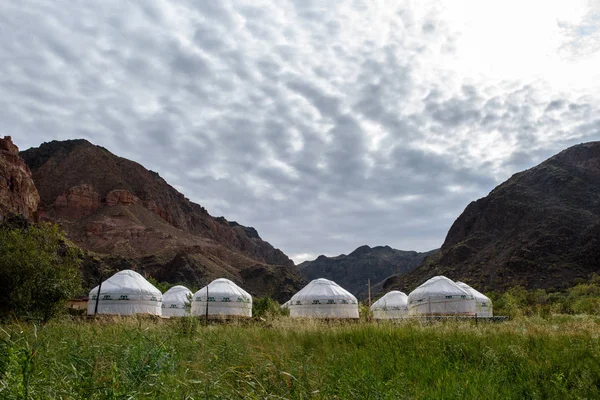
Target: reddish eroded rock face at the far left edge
(18, 194)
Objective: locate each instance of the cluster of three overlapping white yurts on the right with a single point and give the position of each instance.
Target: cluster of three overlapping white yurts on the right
(439, 296)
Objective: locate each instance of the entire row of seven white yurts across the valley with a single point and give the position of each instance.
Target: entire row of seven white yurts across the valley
(127, 293)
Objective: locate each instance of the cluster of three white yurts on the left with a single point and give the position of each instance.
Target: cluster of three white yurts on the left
(128, 293)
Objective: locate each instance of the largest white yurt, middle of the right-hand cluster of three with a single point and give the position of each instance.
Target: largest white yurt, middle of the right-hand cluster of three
(440, 296)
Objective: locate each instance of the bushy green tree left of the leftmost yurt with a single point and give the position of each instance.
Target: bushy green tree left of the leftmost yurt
(39, 271)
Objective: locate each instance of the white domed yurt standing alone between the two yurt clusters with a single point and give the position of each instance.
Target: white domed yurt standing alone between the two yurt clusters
(323, 298)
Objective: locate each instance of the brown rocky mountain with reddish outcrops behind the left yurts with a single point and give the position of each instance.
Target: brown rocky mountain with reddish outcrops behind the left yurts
(130, 216)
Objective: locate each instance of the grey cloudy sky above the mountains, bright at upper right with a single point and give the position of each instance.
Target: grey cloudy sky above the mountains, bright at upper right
(324, 124)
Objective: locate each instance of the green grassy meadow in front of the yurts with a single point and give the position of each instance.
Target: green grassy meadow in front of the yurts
(526, 358)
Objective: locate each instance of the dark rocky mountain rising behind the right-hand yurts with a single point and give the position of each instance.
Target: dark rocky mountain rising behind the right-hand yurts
(539, 229)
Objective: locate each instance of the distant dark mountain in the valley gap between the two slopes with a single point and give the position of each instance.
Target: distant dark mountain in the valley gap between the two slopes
(353, 270)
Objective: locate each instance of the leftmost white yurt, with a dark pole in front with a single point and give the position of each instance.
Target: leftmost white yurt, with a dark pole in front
(126, 293)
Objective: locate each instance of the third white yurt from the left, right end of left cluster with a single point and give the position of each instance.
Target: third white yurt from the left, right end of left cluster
(225, 299)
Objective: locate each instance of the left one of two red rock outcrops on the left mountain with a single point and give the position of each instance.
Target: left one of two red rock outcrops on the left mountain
(80, 202)
